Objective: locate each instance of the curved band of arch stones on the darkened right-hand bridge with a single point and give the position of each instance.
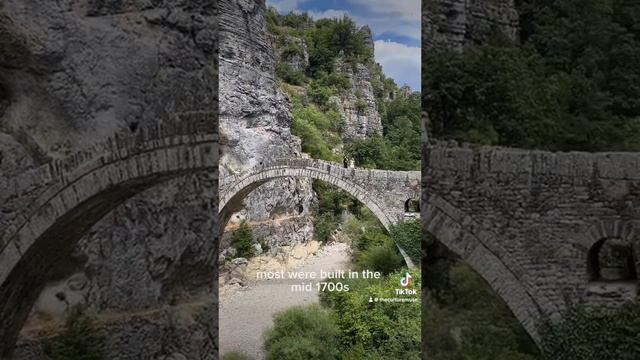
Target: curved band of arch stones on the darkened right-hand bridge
(466, 238)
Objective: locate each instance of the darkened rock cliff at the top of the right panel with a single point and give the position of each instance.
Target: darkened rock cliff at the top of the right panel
(453, 24)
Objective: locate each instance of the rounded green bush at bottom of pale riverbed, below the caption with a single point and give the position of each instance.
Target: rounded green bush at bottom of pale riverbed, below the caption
(303, 333)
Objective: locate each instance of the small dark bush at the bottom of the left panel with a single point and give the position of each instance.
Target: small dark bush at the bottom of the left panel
(79, 340)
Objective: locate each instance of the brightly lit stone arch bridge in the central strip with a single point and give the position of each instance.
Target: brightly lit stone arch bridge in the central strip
(386, 193)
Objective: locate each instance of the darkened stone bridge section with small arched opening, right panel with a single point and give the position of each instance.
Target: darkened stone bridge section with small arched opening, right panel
(535, 225)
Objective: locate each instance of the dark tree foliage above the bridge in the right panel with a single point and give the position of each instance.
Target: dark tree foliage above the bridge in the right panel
(571, 82)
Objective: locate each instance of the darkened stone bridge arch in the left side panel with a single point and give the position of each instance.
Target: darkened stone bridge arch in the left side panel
(51, 207)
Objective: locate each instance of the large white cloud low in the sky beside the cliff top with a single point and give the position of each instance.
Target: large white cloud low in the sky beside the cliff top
(400, 62)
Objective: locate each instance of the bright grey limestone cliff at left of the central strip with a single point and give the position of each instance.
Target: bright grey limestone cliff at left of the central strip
(255, 124)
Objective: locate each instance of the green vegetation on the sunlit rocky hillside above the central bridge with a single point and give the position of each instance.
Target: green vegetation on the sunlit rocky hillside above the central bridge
(317, 120)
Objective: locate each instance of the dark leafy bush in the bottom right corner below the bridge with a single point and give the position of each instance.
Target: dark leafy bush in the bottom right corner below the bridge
(593, 335)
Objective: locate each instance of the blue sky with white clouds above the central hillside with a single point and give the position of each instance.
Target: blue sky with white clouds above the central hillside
(396, 26)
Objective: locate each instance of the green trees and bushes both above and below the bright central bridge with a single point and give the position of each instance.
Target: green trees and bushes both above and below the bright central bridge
(317, 60)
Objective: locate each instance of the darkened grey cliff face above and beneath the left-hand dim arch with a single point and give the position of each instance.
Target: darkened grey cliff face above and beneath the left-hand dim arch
(73, 73)
